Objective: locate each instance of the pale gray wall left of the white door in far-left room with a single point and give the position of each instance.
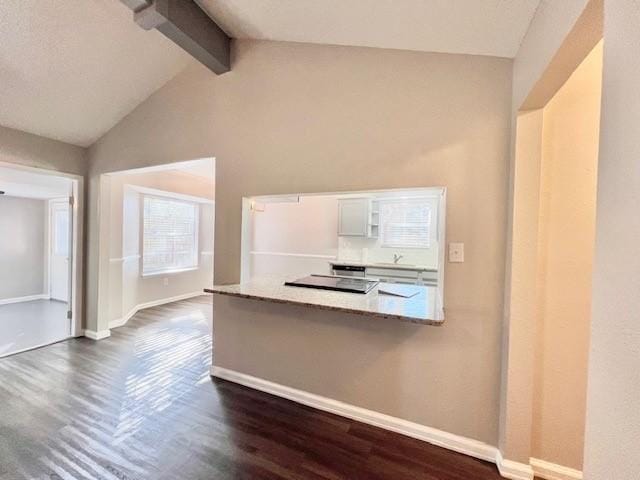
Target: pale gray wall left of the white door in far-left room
(22, 247)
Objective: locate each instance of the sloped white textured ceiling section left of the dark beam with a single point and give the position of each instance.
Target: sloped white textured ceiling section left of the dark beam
(71, 69)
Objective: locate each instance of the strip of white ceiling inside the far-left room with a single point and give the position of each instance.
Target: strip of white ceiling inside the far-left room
(27, 184)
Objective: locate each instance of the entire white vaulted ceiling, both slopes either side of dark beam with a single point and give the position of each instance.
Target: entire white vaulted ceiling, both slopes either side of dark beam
(70, 70)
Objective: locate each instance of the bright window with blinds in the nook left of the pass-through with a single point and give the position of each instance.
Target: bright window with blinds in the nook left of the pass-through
(170, 235)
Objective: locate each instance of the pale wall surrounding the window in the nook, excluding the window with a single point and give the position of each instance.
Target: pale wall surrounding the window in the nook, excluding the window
(128, 289)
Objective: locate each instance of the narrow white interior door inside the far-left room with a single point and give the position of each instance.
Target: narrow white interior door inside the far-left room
(60, 250)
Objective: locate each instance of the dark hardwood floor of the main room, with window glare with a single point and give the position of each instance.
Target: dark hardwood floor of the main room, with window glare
(141, 405)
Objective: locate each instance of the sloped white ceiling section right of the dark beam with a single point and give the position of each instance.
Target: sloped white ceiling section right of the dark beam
(480, 27)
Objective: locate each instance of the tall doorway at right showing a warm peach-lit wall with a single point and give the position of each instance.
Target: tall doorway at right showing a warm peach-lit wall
(553, 244)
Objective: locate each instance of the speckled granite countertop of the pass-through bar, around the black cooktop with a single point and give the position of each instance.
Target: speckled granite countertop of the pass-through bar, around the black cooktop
(421, 308)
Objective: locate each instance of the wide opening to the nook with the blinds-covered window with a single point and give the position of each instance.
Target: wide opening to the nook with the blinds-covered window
(156, 238)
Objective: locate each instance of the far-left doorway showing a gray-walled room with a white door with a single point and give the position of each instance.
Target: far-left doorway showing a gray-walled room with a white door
(39, 298)
